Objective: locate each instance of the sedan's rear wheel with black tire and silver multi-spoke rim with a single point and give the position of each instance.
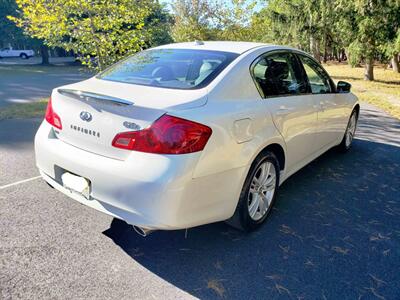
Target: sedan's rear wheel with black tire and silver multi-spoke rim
(246, 217)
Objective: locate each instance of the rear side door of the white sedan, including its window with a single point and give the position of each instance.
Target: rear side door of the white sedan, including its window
(294, 113)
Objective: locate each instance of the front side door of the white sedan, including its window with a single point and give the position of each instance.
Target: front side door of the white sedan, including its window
(332, 111)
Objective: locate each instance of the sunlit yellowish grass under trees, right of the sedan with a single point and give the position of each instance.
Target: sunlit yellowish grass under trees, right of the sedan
(384, 92)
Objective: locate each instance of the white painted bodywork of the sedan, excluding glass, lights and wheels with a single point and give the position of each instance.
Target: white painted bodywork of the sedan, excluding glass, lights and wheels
(167, 192)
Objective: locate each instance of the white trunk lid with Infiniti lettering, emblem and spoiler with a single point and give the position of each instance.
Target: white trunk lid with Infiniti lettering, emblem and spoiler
(92, 112)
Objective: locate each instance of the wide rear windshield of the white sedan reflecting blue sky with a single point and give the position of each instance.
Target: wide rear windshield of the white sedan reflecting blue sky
(170, 68)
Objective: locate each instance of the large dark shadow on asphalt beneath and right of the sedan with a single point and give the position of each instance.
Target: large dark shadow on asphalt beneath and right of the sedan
(334, 232)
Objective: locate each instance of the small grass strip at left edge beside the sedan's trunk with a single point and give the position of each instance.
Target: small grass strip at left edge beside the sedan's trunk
(24, 110)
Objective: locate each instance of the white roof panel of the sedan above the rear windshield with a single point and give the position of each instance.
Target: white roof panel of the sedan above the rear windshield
(226, 46)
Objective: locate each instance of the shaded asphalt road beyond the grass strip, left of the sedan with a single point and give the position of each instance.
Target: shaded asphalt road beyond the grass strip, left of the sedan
(24, 83)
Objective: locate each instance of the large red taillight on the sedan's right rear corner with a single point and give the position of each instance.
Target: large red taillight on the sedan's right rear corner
(167, 135)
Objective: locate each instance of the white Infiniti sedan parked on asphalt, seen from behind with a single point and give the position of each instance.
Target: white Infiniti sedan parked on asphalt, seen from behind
(187, 134)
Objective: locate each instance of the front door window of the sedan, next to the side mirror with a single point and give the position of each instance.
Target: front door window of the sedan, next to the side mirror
(317, 78)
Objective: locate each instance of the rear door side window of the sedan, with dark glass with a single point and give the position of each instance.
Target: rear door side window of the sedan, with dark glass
(275, 75)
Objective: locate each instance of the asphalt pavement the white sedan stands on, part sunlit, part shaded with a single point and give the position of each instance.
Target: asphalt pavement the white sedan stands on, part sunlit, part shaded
(335, 234)
